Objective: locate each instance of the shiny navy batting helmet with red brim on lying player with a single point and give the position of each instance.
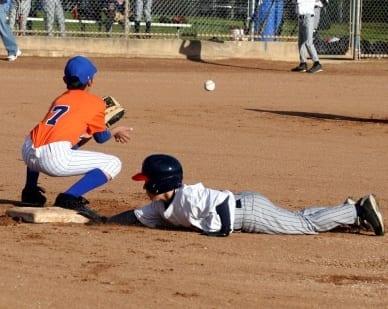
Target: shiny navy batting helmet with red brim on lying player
(161, 173)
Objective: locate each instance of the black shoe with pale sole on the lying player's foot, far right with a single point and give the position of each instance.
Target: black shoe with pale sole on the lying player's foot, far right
(371, 213)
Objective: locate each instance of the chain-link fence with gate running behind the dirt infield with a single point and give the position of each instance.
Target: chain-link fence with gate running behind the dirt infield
(344, 28)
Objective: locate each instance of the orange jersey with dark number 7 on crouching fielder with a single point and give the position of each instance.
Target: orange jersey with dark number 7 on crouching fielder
(71, 115)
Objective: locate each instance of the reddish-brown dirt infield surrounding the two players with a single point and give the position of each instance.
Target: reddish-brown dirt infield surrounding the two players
(300, 139)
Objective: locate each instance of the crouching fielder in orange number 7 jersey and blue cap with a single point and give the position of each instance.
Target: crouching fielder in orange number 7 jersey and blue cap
(52, 145)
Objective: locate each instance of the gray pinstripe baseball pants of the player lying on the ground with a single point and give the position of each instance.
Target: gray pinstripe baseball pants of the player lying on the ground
(257, 214)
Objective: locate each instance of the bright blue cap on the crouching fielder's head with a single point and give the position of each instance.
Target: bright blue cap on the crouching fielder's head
(80, 67)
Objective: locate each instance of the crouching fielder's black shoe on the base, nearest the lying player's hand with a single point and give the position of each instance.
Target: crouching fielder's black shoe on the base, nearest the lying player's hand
(78, 204)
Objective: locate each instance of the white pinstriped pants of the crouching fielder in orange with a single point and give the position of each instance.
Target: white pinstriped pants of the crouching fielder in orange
(58, 159)
